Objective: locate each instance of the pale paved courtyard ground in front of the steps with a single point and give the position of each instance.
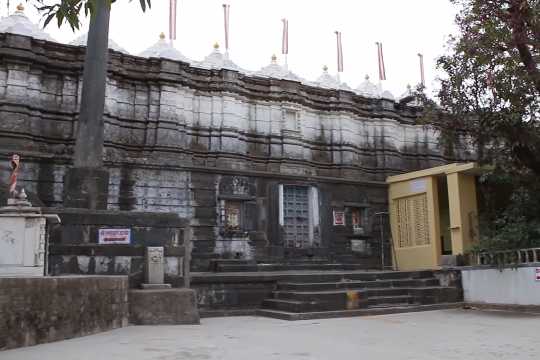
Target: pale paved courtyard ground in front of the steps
(435, 335)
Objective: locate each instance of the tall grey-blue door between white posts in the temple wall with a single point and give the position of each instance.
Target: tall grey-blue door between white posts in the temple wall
(296, 219)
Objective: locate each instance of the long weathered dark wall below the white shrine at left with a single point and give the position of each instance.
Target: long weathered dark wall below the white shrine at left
(40, 310)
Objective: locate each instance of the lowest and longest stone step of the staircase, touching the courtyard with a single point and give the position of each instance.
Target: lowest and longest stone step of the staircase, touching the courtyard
(291, 316)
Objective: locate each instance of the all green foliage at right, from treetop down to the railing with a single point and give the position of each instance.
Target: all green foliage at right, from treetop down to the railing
(490, 101)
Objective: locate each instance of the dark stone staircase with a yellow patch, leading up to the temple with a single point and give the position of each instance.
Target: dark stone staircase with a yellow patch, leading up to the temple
(367, 293)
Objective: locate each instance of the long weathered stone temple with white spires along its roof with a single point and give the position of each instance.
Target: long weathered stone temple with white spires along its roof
(265, 166)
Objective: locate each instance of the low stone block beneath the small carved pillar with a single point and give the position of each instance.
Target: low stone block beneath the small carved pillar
(163, 307)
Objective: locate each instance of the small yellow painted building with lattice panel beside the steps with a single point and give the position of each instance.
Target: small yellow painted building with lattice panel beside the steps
(433, 212)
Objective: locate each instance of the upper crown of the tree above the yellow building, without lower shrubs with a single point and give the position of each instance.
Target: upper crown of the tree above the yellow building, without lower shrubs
(492, 86)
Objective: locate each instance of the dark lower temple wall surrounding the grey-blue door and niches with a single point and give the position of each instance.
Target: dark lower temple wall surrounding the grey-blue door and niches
(263, 231)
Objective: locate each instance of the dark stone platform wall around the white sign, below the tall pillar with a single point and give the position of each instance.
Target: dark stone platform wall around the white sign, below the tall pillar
(74, 247)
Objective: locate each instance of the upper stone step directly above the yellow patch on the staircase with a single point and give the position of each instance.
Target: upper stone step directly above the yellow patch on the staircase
(357, 284)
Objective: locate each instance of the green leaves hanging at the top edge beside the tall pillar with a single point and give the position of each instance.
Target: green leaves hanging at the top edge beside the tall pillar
(69, 11)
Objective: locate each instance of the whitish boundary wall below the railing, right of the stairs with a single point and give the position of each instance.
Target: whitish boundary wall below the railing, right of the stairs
(510, 286)
